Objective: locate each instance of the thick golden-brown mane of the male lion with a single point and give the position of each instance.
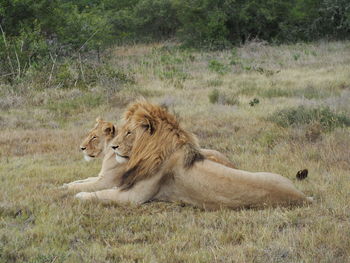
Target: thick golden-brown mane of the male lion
(160, 135)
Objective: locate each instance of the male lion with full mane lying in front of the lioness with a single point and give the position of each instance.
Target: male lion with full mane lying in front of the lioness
(165, 163)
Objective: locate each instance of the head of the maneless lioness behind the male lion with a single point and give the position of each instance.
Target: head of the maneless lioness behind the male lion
(97, 139)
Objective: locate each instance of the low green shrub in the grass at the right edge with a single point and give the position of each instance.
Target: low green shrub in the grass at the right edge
(302, 115)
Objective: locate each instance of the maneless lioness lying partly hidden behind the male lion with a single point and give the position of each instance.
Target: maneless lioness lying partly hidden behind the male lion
(96, 144)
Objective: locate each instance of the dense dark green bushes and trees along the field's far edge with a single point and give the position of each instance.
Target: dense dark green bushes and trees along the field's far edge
(35, 32)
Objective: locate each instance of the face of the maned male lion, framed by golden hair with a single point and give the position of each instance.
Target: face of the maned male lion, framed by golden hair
(122, 144)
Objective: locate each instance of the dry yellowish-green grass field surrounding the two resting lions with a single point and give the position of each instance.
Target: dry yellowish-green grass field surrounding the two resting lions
(268, 108)
